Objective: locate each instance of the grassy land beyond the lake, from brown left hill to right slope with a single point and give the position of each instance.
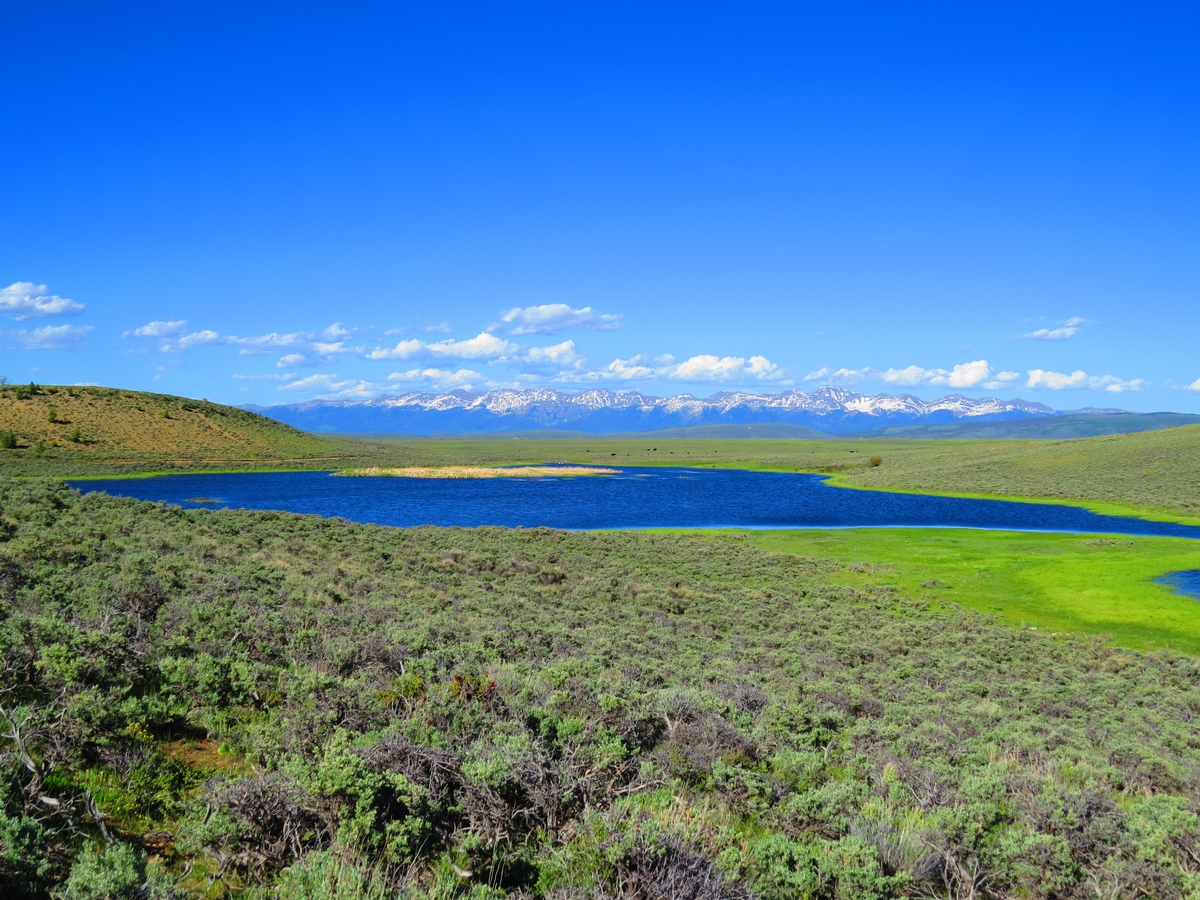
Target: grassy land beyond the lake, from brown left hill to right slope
(123, 433)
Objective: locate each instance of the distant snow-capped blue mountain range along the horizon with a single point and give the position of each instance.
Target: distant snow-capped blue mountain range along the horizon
(831, 410)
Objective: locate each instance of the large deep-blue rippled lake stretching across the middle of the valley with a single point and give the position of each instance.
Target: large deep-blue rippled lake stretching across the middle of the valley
(635, 499)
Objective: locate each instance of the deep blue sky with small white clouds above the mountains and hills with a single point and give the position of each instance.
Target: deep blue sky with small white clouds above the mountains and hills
(271, 203)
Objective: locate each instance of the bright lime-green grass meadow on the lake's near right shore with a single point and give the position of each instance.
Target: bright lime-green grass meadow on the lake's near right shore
(1053, 583)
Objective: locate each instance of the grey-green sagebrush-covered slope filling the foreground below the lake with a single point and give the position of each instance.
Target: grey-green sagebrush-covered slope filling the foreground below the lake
(296, 707)
